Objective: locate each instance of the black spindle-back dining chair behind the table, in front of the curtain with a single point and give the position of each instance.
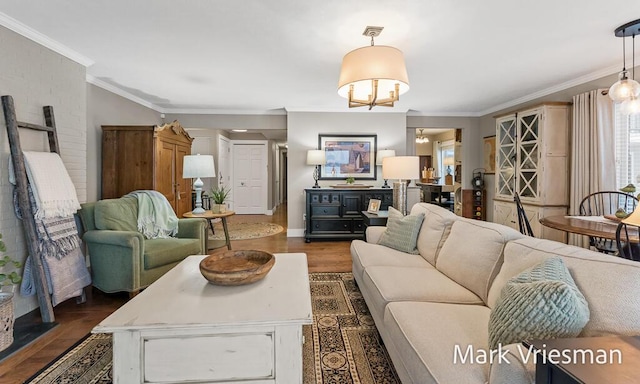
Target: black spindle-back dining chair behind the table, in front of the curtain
(606, 203)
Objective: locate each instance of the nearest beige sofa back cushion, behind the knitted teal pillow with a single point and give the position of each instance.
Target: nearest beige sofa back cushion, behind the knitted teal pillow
(608, 283)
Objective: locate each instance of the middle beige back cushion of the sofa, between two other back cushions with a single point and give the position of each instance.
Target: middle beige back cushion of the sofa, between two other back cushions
(472, 253)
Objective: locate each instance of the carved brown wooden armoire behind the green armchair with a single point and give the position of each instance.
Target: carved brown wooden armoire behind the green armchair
(146, 157)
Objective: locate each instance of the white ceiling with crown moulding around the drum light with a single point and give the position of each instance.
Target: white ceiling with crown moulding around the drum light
(464, 57)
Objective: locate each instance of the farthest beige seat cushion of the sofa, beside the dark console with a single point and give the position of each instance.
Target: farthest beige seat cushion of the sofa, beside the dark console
(365, 255)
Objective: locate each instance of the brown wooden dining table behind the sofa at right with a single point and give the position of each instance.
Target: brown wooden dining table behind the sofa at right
(596, 226)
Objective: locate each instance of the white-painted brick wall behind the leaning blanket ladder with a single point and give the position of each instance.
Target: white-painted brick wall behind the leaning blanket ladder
(36, 76)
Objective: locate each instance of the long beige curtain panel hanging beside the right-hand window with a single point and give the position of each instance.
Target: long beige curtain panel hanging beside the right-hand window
(592, 152)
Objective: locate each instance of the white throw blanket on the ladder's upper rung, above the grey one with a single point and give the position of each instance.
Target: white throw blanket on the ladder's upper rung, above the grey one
(53, 190)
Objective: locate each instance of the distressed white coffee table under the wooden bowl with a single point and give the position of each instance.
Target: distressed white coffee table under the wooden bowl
(184, 329)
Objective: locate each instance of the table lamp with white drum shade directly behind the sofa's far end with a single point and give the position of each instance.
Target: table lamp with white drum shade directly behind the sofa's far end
(400, 168)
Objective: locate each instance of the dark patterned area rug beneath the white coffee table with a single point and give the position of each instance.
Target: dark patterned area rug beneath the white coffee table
(342, 346)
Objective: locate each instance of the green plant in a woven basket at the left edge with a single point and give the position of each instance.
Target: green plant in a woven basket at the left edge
(8, 277)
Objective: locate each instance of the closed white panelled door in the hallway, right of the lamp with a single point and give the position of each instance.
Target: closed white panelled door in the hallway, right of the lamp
(249, 178)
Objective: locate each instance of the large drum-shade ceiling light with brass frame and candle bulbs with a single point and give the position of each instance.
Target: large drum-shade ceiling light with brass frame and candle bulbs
(373, 76)
